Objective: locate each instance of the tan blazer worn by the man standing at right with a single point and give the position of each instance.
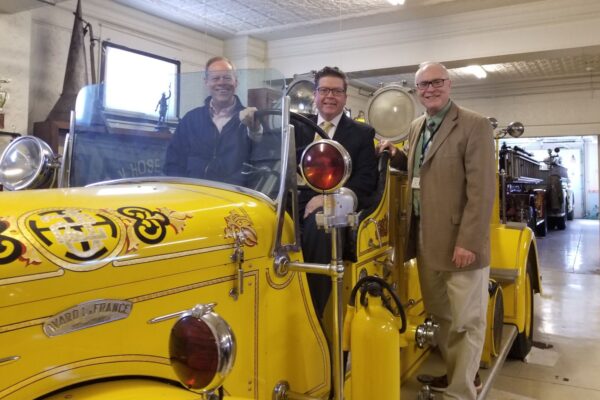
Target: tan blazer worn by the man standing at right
(457, 182)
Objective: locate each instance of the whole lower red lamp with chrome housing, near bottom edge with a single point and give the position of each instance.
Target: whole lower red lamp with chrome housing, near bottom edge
(202, 349)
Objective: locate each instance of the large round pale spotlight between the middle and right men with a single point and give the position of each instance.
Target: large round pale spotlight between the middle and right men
(390, 111)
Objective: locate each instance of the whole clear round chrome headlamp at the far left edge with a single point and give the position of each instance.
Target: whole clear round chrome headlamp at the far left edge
(26, 163)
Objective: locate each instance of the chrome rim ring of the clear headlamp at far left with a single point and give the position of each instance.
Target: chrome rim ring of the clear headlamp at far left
(43, 169)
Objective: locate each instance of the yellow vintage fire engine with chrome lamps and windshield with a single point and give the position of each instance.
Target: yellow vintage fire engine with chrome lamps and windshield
(120, 282)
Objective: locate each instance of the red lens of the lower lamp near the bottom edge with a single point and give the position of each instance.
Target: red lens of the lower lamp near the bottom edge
(194, 352)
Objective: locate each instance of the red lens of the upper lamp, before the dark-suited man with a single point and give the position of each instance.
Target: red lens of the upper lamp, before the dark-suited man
(323, 166)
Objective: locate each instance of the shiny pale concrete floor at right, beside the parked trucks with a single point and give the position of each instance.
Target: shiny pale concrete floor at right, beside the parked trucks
(567, 321)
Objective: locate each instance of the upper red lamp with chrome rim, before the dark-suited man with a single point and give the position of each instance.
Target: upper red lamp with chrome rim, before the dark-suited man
(325, 165)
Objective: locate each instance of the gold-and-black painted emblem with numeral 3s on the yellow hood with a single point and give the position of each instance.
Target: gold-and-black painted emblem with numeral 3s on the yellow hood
(81, 239)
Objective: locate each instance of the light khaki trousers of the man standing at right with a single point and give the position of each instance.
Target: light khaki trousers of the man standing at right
(458, 302)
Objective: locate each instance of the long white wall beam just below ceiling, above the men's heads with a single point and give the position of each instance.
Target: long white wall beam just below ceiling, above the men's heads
(531, 27)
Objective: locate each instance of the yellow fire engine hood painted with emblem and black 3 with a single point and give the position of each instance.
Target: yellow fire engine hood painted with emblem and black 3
(82, 239)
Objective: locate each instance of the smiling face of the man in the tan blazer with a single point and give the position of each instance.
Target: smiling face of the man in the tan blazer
(433, 99)
